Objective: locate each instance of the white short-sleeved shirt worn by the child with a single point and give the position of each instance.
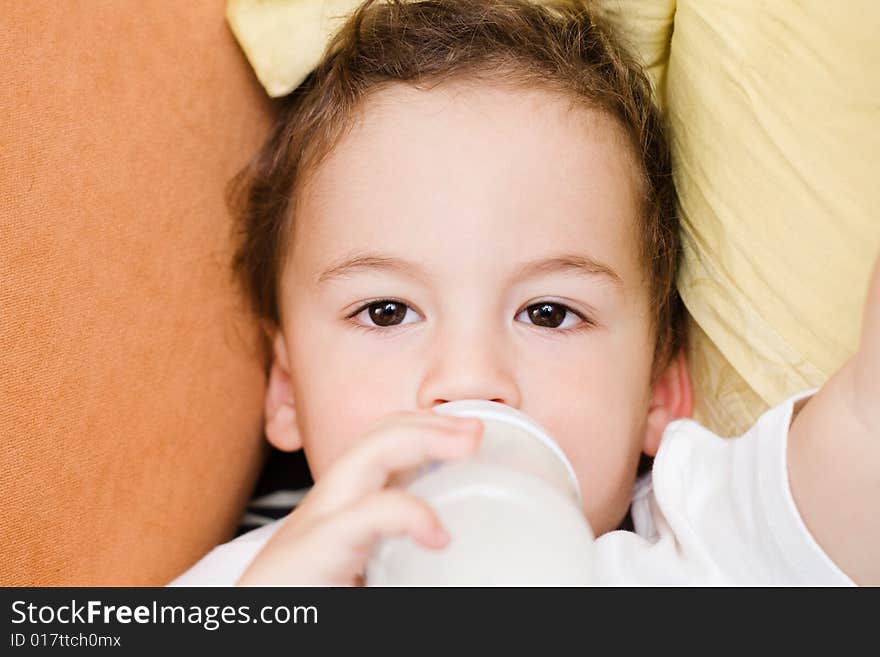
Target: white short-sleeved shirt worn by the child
(714, 511)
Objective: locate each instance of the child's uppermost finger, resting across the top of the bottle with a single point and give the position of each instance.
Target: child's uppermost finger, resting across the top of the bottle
(391, 448)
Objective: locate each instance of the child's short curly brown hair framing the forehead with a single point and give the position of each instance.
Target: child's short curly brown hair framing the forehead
(563, 47)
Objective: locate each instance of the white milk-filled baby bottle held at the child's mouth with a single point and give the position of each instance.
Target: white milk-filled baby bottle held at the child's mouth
(513, 513)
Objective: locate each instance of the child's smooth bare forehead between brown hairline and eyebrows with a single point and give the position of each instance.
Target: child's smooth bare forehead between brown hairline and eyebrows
(481, 171)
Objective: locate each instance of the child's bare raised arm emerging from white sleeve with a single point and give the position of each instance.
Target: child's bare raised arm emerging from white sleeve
(834, 456)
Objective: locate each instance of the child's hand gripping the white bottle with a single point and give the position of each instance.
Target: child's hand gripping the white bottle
(327, 540)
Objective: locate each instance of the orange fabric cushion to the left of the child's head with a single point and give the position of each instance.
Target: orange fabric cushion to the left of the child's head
(132, 380)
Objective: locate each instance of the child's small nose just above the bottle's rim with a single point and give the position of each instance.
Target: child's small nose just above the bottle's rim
(469, 366)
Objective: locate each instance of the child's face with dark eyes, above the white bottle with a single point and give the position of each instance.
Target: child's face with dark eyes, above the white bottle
(467, 205)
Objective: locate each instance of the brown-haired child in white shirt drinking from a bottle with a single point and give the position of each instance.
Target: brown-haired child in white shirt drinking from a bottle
(474, 200)
